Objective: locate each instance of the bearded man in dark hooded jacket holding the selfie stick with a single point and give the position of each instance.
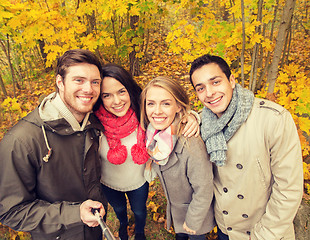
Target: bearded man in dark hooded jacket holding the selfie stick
(49, 164)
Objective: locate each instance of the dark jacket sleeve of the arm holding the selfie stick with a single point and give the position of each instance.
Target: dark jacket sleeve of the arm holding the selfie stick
(20, 207)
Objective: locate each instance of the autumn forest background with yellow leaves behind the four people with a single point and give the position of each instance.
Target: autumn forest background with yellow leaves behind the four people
(266, 43)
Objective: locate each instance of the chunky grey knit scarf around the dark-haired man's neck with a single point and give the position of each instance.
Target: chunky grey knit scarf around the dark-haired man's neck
(216, 132)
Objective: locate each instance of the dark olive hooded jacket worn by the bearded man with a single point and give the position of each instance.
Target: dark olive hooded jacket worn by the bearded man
(44, 197)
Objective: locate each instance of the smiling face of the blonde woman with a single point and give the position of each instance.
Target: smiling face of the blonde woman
(161, 107)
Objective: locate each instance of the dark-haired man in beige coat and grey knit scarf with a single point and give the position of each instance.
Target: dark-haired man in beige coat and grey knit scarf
(254, 145)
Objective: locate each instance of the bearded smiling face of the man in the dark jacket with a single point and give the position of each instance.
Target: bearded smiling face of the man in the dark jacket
(80, 89)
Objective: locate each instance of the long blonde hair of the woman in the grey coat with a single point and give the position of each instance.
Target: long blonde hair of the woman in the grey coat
(174, 88)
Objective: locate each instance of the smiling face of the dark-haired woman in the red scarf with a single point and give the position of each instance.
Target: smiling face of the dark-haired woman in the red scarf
(115, 97)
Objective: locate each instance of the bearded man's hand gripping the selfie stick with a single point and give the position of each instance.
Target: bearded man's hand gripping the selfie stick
(86, 214)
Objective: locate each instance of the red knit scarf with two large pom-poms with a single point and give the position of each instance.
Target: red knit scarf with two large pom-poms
(116, 128)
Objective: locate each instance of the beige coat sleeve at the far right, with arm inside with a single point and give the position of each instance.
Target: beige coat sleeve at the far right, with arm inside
(287, 186)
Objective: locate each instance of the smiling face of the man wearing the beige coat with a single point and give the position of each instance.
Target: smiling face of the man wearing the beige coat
(213, 88)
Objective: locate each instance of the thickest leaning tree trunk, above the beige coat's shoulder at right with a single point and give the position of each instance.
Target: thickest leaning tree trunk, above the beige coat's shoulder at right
(284, 24)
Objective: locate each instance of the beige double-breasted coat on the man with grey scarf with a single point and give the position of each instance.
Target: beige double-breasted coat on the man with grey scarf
(259, 189)
